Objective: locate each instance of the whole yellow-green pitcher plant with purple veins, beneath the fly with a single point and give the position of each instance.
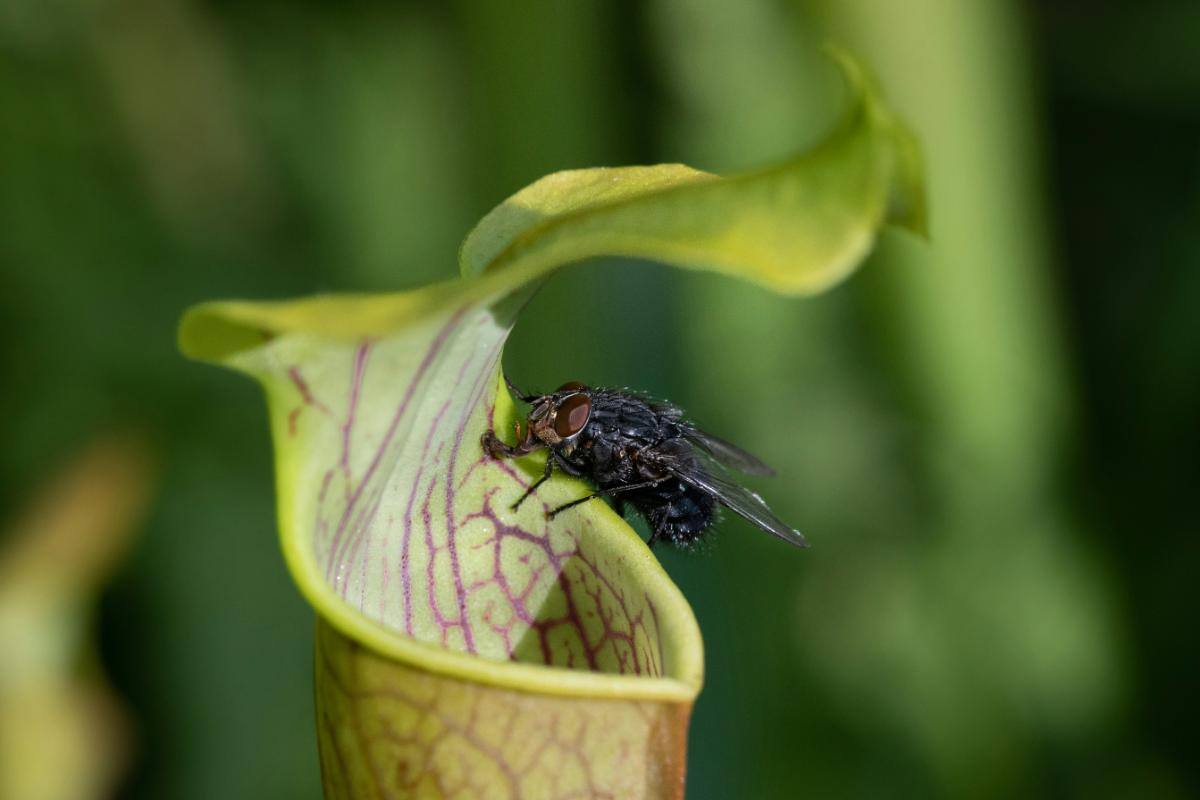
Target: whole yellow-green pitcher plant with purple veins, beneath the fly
(466, 649)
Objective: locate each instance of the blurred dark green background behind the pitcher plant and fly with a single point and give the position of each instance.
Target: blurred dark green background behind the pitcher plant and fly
(992, 441)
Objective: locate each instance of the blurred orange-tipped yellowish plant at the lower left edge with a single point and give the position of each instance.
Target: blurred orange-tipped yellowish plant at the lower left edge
(64, 735)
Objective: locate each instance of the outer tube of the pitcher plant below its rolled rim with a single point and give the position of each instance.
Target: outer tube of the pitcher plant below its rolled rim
(391, 731)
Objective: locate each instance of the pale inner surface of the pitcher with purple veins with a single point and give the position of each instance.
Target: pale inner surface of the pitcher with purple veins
(411, 521)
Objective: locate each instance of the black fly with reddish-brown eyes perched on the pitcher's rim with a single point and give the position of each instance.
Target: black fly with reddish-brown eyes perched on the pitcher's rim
(643, 453)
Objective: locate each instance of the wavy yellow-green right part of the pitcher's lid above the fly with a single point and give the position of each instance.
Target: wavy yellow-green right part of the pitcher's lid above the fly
(797, 227)
